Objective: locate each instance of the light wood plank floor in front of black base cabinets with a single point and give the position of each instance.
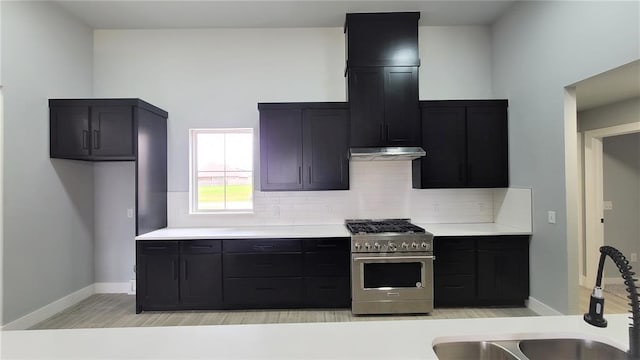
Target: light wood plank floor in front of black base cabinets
(118, 310)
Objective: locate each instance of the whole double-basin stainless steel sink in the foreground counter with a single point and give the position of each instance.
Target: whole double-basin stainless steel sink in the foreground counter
(528, 349)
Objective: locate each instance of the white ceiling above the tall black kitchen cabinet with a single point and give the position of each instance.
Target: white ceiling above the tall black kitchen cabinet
(162, 14)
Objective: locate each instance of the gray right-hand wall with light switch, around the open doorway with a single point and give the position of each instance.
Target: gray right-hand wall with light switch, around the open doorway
(539, 48)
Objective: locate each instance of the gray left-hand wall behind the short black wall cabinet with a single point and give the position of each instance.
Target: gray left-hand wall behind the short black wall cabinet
(48, 204)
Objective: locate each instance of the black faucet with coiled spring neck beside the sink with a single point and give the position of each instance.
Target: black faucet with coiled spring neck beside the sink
(596, 304)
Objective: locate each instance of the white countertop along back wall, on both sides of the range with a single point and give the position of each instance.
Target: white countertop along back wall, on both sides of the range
(312, 231)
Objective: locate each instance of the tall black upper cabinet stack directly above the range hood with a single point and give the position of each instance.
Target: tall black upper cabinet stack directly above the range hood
(382, 71)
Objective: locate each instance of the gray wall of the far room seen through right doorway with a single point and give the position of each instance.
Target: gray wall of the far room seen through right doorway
(621, 167)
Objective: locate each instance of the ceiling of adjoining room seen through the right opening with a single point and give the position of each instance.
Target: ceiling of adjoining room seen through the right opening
(615, 85)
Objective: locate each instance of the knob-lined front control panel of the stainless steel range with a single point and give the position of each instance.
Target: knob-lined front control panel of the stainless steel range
(385, 245)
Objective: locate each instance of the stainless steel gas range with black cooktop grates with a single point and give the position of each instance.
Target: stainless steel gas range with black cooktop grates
(391, 267)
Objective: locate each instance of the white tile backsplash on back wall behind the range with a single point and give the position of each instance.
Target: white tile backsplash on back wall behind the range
(378, 189)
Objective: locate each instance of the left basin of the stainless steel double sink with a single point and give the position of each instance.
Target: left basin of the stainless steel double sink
(480, 350)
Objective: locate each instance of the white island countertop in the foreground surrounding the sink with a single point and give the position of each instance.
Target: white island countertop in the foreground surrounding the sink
(399, 339)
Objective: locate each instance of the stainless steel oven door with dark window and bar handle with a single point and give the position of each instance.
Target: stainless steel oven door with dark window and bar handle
(388, 277)
